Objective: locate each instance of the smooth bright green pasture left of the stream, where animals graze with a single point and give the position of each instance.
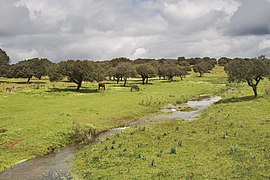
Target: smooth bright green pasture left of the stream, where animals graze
(41, 114)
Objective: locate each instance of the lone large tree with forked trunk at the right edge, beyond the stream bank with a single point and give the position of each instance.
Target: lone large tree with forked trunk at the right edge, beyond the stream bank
(251, 71)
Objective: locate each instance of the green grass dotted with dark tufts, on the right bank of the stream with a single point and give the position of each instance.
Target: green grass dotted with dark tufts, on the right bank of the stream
(231, 140)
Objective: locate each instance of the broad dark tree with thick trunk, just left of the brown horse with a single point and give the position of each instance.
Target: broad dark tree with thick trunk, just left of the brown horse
(79, 71)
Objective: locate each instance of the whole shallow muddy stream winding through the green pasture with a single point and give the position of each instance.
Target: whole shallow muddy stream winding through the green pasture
(58, 165)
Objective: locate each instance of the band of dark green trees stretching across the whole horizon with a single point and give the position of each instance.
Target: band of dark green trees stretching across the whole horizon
(250, 70)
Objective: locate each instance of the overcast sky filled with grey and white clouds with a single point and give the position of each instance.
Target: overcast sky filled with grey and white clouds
(106, 29)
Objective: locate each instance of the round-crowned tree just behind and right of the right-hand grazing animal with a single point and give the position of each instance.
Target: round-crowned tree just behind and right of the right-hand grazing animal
(145, 71)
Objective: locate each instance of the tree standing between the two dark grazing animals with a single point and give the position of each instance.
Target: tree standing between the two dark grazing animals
(125, 71)
